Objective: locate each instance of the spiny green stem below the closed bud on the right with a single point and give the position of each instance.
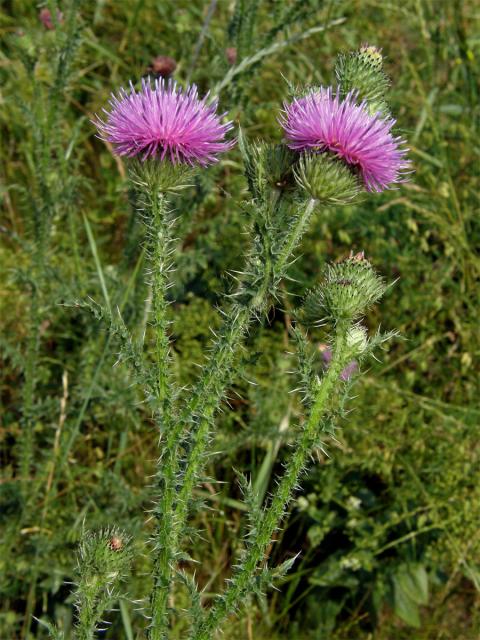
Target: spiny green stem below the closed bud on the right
(239, 585)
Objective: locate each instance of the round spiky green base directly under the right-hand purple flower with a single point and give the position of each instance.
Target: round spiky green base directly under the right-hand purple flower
(326, 179)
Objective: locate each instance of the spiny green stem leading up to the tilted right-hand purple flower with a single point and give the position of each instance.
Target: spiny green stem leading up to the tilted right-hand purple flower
(199, 414)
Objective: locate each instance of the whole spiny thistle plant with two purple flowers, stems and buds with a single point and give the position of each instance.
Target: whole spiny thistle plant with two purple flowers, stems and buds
(335, 148)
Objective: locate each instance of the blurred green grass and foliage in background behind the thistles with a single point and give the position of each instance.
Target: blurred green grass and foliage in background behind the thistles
(388, 523)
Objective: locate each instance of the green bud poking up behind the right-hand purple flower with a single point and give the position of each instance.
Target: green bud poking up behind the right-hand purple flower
(362, 71)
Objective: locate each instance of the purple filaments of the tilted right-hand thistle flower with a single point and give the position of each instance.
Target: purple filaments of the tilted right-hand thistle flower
(321, 121)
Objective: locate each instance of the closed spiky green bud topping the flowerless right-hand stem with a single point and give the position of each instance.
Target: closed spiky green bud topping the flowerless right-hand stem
(349, 289)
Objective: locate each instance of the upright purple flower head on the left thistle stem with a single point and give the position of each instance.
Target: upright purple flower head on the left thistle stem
(164, 122)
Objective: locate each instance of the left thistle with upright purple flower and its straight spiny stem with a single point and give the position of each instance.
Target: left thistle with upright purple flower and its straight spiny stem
(171, 131)
